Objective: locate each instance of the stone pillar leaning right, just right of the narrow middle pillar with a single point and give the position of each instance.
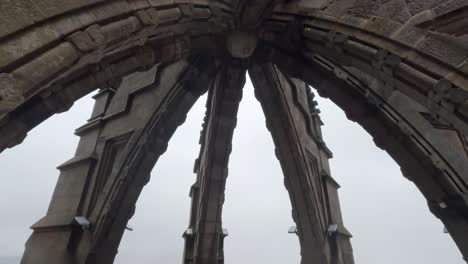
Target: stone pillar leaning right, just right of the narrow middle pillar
(293, 121)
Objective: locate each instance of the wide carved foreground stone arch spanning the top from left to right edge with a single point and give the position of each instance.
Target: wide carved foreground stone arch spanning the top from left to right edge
(398, 68)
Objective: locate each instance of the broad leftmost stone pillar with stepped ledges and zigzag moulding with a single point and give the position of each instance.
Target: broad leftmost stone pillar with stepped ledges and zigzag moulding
(97, 189)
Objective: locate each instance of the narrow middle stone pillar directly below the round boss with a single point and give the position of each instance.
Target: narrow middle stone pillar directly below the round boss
(204, 239)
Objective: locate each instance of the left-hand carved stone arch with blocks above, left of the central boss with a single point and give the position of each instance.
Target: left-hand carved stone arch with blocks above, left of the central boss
(76, 47)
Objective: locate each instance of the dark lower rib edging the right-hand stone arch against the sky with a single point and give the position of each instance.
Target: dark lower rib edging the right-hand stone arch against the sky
(430, 154)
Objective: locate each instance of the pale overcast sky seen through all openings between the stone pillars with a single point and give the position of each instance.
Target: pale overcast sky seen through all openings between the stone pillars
(387, 215)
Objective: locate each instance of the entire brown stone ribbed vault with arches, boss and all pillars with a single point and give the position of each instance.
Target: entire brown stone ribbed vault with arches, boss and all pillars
(397, 67)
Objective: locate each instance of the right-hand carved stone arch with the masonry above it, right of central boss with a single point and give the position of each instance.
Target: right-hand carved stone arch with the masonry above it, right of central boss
(382, 70)
